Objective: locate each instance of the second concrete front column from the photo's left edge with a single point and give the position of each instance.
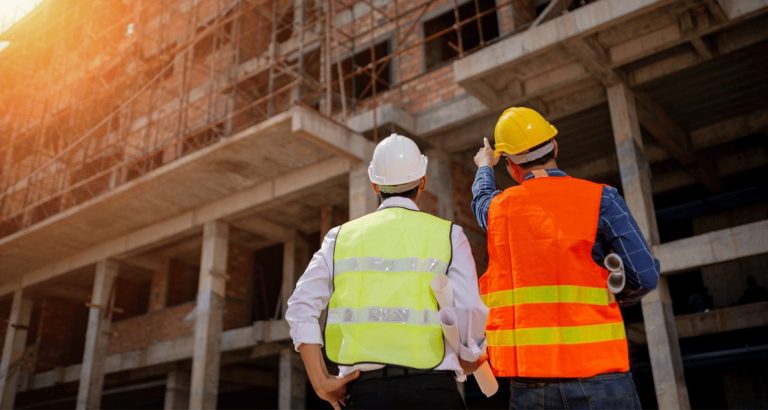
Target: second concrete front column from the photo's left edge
(97, 335)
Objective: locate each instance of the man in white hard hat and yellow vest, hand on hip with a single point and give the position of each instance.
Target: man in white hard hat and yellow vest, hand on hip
(374, 273)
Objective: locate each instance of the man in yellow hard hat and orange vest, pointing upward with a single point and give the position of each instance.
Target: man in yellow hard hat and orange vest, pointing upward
(553, 327)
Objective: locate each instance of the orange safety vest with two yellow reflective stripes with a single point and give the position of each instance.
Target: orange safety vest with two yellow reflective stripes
(551, 314)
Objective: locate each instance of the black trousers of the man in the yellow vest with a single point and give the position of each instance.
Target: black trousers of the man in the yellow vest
(434, 390)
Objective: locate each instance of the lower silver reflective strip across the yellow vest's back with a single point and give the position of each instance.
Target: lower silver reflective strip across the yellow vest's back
(380, 314)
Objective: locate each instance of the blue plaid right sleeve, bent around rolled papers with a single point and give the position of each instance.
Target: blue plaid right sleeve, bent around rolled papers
(619, 232)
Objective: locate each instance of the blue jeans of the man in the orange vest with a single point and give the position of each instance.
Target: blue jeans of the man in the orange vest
(605, 391)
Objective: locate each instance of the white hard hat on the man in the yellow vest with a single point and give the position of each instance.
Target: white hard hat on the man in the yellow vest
(396, 161)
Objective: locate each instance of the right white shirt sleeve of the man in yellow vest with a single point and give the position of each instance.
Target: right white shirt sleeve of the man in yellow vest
(471, 312)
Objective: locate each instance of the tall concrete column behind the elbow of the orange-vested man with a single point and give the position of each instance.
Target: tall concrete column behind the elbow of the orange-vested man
(661, 333)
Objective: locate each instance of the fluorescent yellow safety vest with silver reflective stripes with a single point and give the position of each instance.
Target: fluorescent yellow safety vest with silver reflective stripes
(382, 309)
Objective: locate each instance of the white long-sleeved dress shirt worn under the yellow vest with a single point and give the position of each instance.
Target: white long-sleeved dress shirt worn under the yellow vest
(314, 288)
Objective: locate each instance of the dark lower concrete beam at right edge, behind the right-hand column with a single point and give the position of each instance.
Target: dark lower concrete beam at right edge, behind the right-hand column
(712, 322)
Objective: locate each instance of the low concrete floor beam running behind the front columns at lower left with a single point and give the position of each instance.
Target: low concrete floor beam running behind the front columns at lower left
(258, 340)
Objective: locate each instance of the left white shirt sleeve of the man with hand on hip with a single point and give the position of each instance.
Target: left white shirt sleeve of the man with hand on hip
(311, 296)
